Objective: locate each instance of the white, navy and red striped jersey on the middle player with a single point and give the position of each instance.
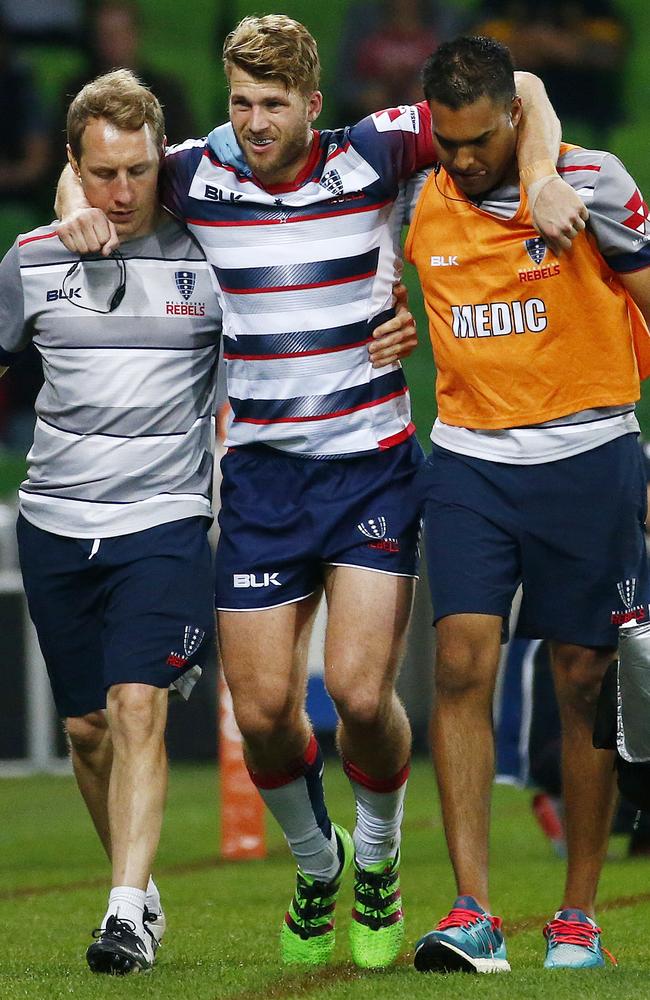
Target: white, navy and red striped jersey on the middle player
(306, 273)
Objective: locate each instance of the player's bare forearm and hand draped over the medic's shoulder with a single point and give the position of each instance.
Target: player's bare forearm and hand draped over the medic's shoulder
(558, 213)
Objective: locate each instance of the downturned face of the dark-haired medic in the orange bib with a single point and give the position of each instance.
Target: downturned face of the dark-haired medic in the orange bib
(476, 144)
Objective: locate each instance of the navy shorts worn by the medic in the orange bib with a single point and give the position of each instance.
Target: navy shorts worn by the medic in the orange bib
(571, 532)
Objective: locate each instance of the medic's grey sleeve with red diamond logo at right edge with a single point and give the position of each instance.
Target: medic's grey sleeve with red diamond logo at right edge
(618, 217)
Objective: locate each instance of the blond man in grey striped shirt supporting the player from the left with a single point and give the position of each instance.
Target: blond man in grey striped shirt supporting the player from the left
(116, 506)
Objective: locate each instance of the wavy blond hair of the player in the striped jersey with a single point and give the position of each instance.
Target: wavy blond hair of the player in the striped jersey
(274, 47)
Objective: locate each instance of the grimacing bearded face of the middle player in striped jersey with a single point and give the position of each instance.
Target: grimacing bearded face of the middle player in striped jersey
(272, 125)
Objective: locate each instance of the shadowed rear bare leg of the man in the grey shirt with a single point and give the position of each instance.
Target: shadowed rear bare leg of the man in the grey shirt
(91, 751)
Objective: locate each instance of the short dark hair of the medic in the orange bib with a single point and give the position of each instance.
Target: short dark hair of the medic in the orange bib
(460, 72)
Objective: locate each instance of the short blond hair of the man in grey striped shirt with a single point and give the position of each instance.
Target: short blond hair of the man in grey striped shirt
(123, 100)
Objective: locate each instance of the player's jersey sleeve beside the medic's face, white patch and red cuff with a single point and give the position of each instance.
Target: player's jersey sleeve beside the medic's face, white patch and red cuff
(396, 141)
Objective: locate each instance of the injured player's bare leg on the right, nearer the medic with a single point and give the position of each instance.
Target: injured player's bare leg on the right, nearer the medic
(368, 615)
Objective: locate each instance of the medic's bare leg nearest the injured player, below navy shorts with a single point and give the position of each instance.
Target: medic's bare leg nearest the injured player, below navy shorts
(462, 741)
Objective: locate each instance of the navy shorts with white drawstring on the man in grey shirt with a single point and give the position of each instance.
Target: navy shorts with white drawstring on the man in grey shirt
(137, 610)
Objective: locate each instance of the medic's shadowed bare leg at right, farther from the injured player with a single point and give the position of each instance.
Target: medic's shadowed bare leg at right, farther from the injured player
(588, 780)
